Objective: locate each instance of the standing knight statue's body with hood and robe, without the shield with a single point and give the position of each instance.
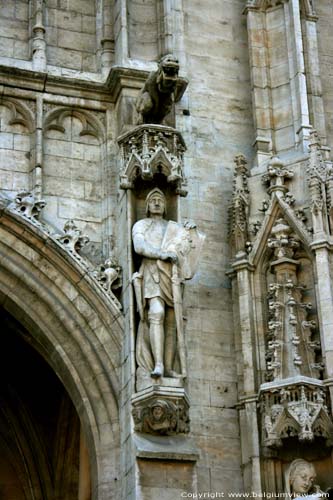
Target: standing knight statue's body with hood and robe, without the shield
(156, 342)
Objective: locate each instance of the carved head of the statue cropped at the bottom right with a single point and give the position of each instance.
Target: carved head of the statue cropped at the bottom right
(302, 475)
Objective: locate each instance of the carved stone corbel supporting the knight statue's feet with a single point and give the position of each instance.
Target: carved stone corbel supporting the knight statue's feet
(161, 413)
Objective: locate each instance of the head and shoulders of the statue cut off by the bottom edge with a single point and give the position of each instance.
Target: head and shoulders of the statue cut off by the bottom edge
(300, 479)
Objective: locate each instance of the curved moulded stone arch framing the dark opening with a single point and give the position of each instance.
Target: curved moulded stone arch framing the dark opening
(75, 329)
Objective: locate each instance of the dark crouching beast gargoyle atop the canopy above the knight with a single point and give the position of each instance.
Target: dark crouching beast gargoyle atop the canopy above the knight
(158, 94)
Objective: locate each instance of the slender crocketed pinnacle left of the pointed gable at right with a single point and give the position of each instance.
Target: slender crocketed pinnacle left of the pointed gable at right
(240, 205)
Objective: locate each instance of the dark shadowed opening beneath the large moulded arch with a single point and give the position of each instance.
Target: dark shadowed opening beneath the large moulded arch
(39, 426)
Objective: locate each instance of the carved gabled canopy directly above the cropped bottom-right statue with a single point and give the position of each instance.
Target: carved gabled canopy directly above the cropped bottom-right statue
(295, 409)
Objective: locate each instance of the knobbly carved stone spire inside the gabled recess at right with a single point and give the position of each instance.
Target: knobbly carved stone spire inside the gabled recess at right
(291, 348)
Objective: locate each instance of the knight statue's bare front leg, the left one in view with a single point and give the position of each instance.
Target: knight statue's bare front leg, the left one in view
(156, 334)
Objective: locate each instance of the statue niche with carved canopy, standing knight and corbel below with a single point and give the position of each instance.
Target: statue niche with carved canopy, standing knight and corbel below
(152, 169)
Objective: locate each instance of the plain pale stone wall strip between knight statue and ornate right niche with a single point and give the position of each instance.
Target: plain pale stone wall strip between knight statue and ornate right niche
(220, 125)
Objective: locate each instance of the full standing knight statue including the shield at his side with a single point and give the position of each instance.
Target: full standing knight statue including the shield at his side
(170, 253)
